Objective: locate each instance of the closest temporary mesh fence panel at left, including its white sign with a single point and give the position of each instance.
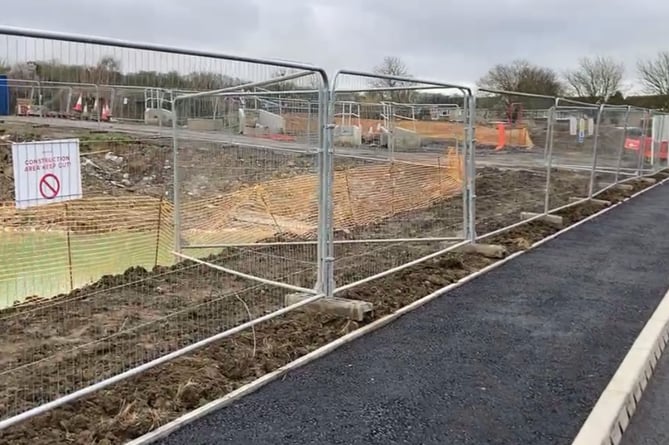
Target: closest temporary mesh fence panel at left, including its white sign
(92, 290)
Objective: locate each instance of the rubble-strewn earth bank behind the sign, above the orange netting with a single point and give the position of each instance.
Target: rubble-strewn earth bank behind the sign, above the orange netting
(119, 164)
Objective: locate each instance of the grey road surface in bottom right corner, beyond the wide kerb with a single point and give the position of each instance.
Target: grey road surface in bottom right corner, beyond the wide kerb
(649, 424)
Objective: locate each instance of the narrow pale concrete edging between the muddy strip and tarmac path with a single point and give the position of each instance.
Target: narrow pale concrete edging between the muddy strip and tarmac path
(255, 385)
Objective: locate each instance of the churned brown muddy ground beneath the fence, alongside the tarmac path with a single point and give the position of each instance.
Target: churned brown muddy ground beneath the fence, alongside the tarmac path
(120, 321)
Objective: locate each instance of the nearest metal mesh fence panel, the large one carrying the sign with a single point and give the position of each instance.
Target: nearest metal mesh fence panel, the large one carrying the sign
(119, 326)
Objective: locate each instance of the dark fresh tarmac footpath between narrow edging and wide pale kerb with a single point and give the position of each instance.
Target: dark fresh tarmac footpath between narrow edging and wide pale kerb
(518, 356)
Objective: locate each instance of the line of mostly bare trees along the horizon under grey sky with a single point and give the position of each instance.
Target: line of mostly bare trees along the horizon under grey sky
(595, 79)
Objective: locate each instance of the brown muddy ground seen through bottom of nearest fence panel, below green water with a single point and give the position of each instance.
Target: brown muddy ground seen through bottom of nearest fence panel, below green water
(56, 347)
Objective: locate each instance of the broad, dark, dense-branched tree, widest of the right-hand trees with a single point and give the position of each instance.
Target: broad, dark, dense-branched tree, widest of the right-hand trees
(522, 76)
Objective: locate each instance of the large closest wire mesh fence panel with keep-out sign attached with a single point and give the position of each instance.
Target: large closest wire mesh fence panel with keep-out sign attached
(118, 304)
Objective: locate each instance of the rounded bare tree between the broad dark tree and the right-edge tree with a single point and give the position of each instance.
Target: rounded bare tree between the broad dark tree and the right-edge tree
(597, 78)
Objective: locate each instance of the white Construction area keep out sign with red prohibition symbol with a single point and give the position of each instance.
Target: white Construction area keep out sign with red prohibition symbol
(46, 172)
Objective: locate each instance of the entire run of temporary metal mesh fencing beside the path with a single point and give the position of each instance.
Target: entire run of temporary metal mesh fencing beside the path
(272, 178)
